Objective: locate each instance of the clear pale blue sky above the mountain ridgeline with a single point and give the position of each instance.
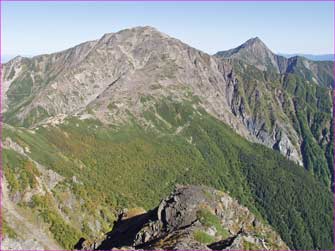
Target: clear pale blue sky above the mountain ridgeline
(301, 27)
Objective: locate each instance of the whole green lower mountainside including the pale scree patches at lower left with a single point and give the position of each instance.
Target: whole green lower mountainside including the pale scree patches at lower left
(72, 179)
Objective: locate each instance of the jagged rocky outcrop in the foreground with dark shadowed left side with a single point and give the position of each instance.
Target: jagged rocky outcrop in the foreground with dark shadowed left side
(192, 217)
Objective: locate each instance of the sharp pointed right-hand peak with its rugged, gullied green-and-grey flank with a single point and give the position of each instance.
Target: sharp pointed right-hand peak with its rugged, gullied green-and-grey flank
(285, 103)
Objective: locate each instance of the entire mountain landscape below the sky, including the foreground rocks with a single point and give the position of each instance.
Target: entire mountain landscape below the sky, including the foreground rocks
(96, 135)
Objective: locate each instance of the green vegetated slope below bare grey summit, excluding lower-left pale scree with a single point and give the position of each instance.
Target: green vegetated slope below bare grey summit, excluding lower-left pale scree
(131, 167)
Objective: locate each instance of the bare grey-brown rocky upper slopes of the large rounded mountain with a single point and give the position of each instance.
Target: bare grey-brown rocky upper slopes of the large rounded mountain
(120, 68)
